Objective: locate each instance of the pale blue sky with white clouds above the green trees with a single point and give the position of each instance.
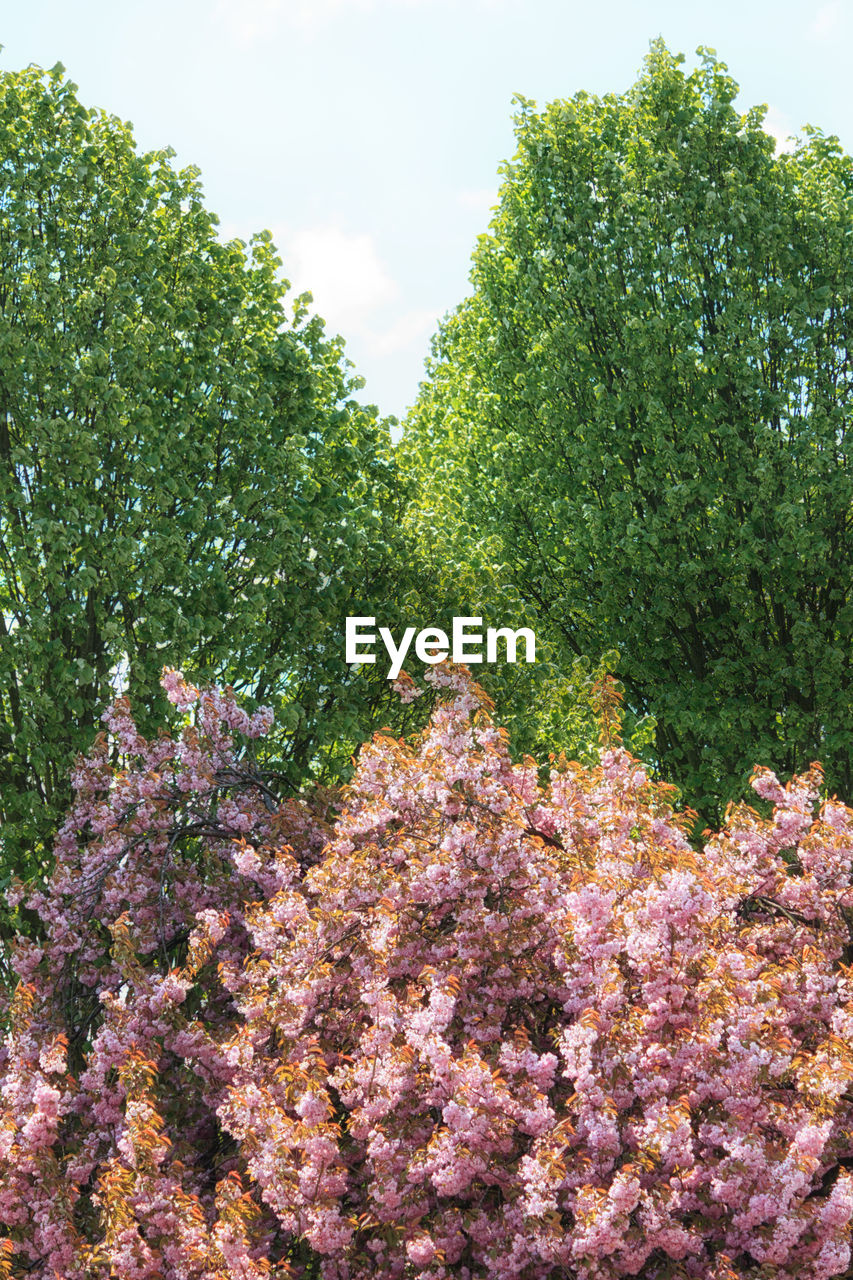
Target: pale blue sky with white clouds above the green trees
(368, 135)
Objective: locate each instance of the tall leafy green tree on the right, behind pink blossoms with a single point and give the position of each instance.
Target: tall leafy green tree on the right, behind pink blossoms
(642, 417)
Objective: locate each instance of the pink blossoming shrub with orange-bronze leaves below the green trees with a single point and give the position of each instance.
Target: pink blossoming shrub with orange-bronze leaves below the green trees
(492, 1028)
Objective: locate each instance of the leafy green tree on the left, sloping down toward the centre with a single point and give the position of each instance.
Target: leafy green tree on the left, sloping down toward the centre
(184, 473)
